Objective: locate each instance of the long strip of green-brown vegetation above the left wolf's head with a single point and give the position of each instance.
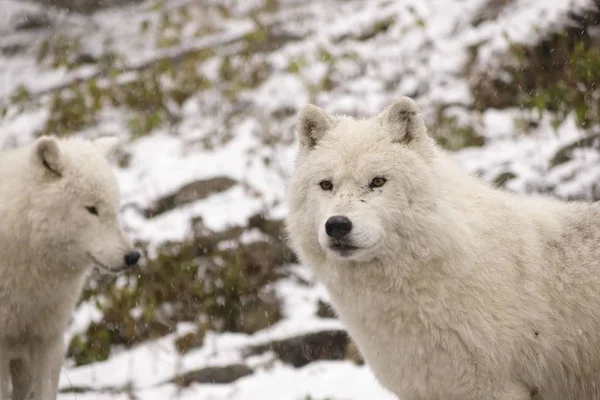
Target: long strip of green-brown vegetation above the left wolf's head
(151, 99)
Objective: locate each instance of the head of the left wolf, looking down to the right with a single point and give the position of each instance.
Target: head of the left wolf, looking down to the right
(74, 204)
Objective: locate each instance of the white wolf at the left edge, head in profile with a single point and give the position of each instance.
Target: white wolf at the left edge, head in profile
(58, 219)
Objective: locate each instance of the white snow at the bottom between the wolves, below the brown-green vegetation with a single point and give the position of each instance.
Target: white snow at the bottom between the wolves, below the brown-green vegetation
(146, 367)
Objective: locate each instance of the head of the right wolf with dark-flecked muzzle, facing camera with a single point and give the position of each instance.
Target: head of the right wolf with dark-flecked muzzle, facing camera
(362, 189)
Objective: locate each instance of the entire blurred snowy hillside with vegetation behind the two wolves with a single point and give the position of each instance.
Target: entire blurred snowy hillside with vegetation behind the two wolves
(205, 95)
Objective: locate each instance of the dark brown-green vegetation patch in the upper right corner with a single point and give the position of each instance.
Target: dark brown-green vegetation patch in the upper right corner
(557, 76)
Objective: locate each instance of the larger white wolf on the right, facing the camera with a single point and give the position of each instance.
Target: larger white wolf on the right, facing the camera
(452, 289)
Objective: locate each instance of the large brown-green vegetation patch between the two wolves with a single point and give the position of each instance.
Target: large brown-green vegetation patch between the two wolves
(213, 281)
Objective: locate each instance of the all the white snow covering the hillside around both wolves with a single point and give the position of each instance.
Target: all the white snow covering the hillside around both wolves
(422, 54)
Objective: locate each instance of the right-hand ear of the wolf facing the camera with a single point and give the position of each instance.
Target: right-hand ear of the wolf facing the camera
(404, 119)
